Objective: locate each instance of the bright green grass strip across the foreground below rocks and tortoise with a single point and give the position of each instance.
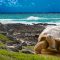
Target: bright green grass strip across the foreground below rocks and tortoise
(8, 55)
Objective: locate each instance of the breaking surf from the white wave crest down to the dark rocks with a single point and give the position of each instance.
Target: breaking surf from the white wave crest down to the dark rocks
(31, 19)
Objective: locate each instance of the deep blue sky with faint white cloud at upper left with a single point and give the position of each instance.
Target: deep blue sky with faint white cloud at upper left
(29, 6)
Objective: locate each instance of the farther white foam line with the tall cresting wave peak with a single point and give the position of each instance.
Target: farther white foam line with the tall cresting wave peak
(31, 18)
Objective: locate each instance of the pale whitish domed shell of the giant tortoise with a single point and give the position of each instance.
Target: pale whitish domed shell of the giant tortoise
(53, 31)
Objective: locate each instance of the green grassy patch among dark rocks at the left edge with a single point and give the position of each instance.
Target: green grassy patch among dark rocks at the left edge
(3, 41)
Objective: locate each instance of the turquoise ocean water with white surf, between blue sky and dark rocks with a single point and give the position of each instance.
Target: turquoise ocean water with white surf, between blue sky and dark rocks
(30, 18)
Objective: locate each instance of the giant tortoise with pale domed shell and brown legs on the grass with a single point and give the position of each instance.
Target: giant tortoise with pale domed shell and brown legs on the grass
(49, 40)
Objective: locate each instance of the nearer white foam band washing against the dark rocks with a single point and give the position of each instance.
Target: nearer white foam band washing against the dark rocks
(24, 22)
